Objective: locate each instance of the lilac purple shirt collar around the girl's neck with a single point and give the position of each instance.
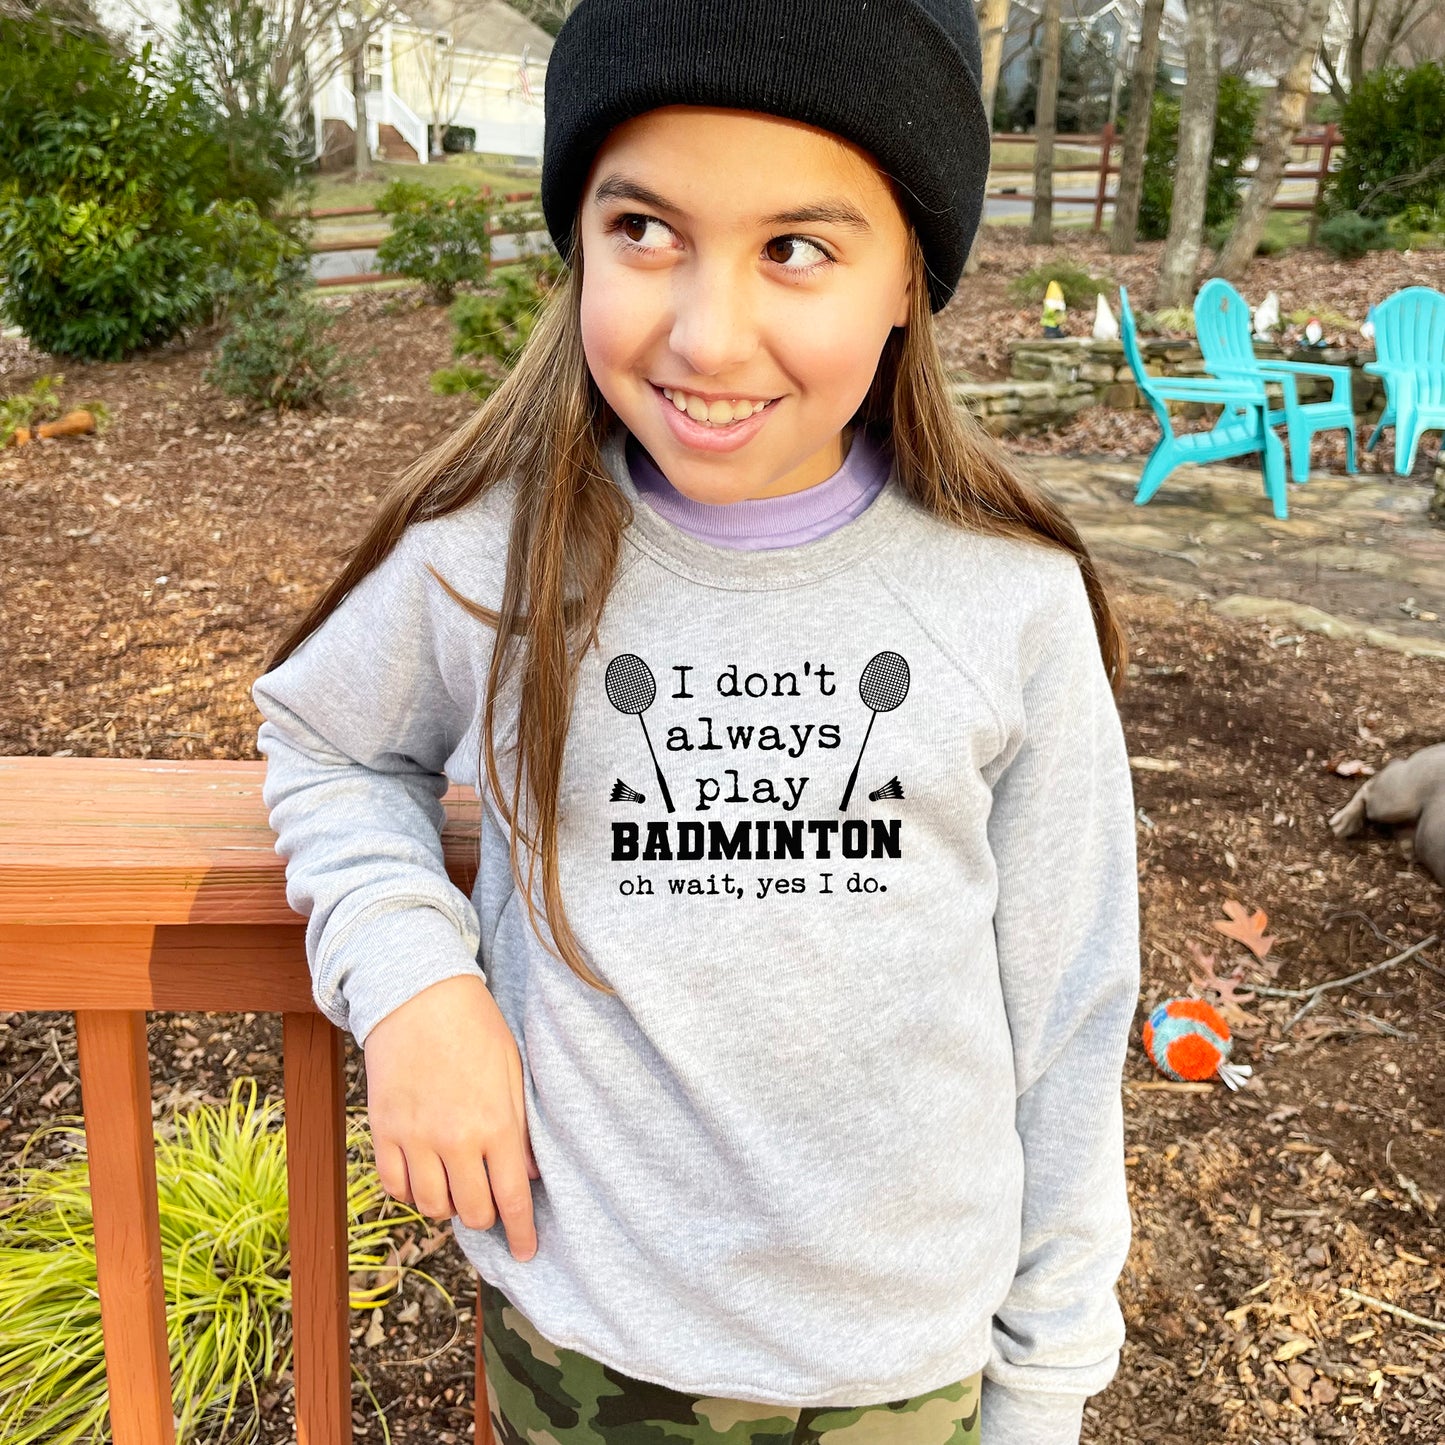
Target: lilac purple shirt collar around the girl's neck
(769, 522)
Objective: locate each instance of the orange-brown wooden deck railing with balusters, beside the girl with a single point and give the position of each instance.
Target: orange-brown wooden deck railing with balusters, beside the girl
(132, 885)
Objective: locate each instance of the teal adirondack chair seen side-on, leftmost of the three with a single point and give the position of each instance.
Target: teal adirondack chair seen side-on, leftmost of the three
(1243, 426)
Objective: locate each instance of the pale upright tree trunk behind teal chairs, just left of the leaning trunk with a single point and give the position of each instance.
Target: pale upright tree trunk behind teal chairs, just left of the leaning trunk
(1197, 112)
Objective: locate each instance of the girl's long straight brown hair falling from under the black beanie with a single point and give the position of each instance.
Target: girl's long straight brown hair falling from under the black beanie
(545, 426)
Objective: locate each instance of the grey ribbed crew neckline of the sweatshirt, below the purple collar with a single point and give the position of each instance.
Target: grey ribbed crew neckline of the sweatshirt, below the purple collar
(762, 570)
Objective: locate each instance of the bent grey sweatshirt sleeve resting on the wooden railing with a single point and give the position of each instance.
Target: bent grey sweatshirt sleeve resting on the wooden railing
(359, 725)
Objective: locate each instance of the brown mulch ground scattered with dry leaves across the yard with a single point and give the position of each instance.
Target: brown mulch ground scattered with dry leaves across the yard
(150, 570)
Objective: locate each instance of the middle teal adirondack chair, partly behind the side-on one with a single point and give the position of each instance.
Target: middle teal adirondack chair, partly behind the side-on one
(1222, 320)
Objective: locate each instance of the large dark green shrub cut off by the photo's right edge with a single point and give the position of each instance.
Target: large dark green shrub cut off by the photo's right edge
(1394, 129)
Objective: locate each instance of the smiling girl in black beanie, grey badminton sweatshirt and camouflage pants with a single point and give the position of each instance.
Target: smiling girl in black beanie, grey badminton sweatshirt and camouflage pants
(771, 1074)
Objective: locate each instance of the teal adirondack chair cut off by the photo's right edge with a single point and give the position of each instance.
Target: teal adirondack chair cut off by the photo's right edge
(1410, 353)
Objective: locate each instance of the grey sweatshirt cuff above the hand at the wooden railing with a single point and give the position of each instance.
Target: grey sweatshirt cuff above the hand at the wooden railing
(388, 960)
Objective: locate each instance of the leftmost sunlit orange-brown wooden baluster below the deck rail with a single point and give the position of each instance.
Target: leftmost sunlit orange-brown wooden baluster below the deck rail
(122, 1160)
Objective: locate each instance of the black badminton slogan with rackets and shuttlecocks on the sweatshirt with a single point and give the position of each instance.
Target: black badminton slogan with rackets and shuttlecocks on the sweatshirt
(806, 810)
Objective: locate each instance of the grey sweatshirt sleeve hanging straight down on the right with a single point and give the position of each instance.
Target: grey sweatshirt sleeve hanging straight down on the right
(1067, 928)
